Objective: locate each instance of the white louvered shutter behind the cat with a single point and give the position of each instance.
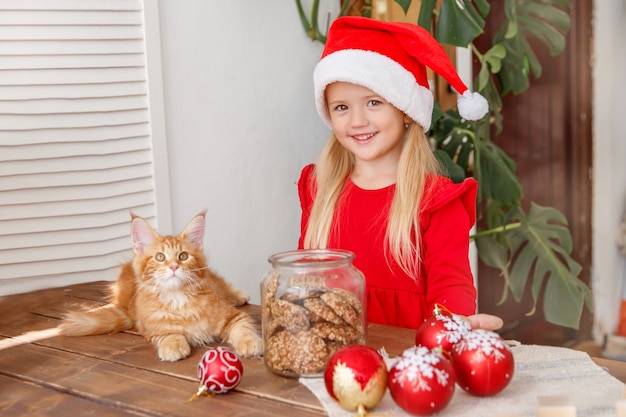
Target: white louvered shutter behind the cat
(76, 148)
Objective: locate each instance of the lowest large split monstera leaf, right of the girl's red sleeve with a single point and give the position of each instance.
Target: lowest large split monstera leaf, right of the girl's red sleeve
(538, 249)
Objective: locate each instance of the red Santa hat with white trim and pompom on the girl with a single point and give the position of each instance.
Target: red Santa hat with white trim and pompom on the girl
(390, 58)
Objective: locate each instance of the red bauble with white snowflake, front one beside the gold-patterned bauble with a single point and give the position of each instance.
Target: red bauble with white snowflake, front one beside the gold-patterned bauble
(421, 381)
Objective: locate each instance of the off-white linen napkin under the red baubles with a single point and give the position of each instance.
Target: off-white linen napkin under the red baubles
(539, 371)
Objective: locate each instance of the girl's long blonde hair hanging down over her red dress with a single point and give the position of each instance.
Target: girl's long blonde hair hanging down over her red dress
(402, 238)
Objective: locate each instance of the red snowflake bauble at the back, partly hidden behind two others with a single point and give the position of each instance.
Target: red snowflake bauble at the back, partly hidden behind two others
(443, 329)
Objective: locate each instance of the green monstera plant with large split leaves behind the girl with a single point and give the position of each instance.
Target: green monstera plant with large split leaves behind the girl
(530, 249)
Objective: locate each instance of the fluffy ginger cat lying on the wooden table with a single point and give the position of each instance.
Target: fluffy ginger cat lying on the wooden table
(170, 296)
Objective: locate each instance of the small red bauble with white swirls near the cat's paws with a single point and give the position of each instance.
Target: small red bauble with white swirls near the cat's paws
(220, 370)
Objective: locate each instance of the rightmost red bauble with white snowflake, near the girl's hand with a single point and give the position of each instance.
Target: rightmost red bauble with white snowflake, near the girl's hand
(483, 363)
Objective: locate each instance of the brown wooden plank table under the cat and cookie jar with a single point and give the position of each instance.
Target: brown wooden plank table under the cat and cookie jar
(120, 375)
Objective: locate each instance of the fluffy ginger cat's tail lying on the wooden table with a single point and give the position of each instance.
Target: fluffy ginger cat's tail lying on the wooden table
(107, 319)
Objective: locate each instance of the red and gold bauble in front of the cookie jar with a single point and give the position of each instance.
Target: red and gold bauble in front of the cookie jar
(356, 377)
